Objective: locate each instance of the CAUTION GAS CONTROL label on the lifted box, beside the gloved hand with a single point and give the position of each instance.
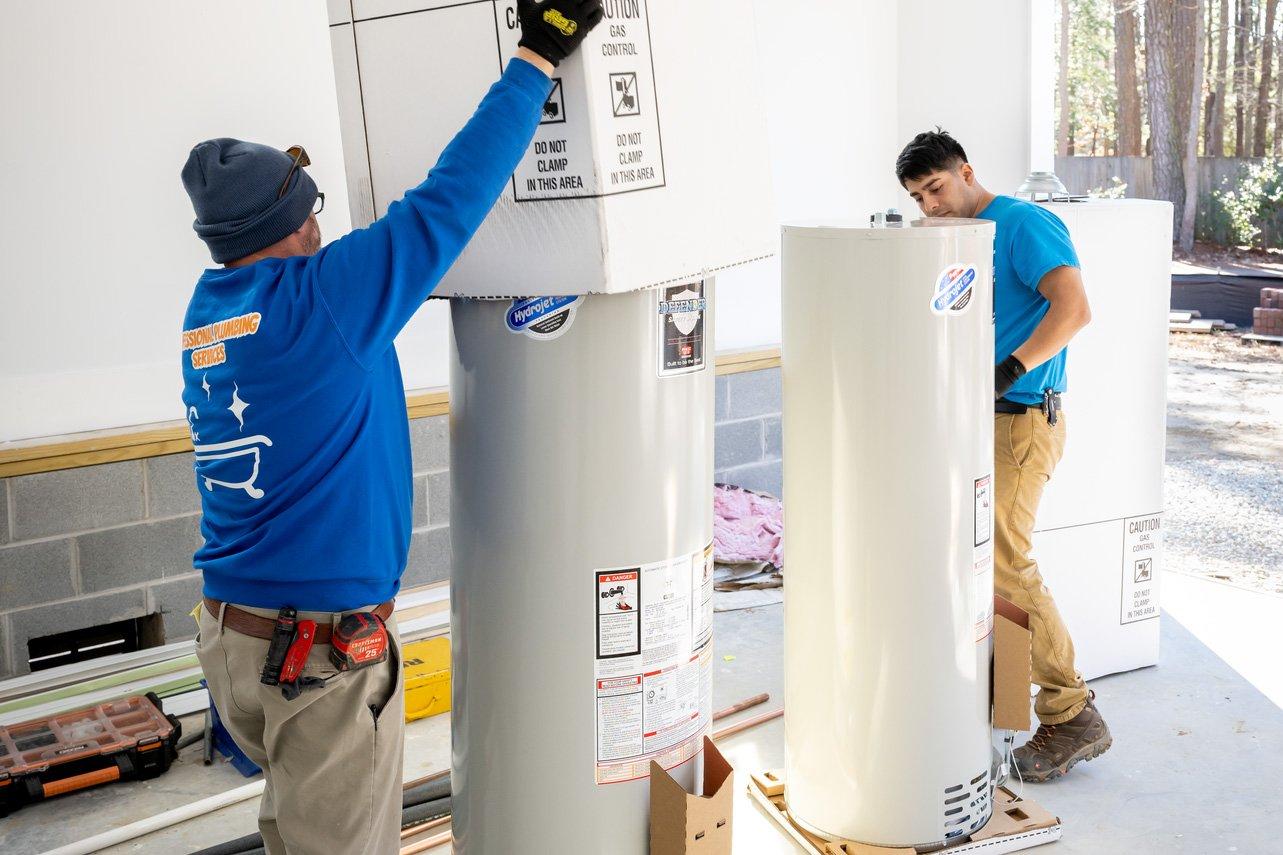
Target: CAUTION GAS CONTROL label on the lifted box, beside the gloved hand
(600, 133)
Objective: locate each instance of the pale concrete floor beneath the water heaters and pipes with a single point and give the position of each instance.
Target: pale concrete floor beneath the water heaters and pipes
(1189, 738)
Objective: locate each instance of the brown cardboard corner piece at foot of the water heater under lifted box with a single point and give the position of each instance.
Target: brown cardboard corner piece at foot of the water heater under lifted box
(682, 824)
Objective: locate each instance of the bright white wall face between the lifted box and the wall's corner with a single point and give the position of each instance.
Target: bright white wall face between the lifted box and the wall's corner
(831, 102)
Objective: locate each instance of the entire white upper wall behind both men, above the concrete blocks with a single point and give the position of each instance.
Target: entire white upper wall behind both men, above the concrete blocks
(99, 257)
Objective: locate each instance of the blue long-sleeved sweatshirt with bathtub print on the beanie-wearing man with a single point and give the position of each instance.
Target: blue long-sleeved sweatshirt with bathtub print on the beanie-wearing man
(294, 395)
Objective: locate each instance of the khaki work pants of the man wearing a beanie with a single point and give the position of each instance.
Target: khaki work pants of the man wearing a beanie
(332, 757)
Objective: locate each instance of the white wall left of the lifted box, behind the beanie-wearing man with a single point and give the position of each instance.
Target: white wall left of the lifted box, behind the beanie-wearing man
(102, 105)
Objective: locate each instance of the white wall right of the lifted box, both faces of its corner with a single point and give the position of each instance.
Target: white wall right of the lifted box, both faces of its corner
(845, 98)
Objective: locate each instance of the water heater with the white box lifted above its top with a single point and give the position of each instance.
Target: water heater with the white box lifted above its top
(582, 437)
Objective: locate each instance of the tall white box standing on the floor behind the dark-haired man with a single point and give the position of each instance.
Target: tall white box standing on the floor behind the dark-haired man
(1099, 537)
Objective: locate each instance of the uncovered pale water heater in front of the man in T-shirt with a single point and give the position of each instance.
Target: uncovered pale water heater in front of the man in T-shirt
(888, 494)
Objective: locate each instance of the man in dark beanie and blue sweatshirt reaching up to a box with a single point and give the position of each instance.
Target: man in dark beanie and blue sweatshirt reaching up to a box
(294, 399)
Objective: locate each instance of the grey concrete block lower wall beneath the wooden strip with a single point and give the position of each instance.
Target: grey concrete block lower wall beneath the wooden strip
(90, 546)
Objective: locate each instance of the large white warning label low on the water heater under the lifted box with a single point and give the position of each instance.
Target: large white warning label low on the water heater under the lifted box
(654, 671)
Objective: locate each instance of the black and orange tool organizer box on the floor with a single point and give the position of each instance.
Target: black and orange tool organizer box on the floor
(128, 740)
